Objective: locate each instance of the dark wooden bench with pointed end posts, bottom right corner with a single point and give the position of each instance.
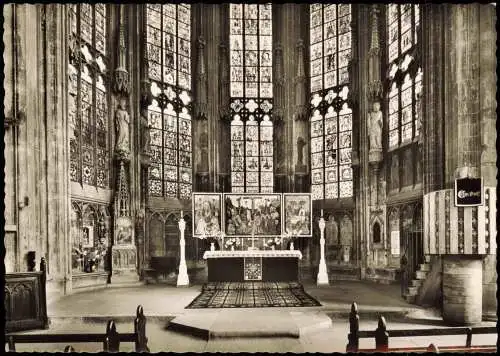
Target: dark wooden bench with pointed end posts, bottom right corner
(381, 335)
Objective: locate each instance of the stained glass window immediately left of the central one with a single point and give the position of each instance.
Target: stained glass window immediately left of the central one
(169, 69)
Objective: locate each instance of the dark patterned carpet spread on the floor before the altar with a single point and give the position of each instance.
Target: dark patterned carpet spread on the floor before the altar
(253, 295)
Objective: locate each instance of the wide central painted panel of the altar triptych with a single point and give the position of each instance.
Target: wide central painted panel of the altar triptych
(252, 214)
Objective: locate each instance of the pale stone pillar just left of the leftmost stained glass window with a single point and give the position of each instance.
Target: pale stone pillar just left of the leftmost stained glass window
(57, 160)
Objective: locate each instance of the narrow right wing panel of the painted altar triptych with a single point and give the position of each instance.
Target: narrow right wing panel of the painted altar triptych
(298, 214)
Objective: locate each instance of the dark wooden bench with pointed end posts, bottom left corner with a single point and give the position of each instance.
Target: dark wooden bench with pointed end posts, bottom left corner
(111, 339)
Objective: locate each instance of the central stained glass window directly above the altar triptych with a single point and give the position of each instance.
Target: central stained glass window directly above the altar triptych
(251, 98)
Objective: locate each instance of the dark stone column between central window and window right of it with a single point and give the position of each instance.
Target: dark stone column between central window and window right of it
(289, 26)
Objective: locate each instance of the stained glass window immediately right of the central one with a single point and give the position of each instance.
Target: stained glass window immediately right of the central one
(331, 119)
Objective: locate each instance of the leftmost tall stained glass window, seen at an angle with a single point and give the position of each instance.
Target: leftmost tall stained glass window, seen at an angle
(88, 95)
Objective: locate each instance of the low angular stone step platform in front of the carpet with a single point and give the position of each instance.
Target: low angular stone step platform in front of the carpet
(232, 323)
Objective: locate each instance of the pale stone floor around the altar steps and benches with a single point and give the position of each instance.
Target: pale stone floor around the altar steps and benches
(89, 311)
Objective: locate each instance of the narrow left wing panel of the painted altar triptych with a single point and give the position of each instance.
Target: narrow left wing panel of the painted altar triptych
(207, 215)
